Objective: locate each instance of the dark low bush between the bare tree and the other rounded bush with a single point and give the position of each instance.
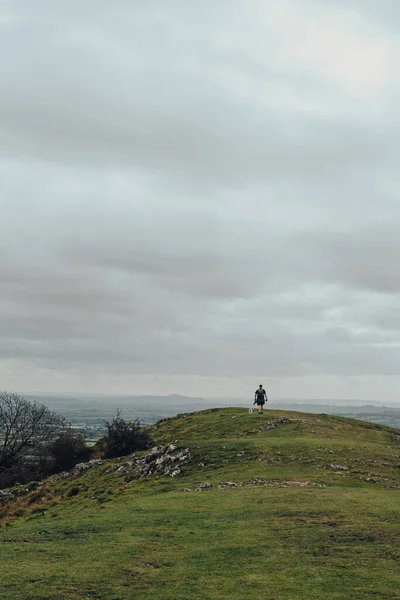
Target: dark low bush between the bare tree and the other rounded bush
(68, 449)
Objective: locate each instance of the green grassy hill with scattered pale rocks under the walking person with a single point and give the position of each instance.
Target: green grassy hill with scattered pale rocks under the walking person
(281, 506)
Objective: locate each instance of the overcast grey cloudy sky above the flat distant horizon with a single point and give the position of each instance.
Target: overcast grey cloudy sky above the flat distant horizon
(198, 197)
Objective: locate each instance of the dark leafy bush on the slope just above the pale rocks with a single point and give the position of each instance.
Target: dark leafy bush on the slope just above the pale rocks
(125, 437)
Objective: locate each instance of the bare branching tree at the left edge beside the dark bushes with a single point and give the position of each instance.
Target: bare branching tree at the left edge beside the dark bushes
(25, 429)
